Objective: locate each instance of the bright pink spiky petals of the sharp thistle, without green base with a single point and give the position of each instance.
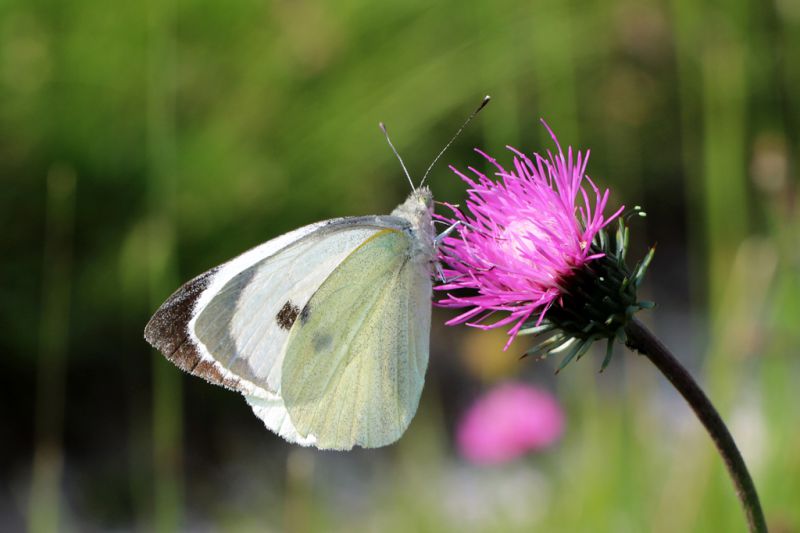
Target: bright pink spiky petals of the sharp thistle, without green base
(522, 238)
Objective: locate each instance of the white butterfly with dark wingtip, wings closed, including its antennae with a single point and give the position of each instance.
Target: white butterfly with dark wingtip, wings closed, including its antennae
(324, 330)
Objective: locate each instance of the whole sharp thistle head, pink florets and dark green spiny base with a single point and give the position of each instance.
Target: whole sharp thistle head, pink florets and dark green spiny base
(534, 245)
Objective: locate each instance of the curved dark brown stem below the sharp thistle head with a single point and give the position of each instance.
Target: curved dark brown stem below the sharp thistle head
(644, 342)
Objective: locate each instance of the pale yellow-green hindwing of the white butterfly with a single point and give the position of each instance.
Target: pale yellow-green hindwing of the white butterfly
(356, 357)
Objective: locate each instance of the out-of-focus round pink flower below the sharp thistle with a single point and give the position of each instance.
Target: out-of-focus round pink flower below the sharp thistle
(507, 422)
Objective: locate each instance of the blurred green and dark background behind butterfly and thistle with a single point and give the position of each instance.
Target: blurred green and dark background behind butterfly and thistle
(143, 142)
